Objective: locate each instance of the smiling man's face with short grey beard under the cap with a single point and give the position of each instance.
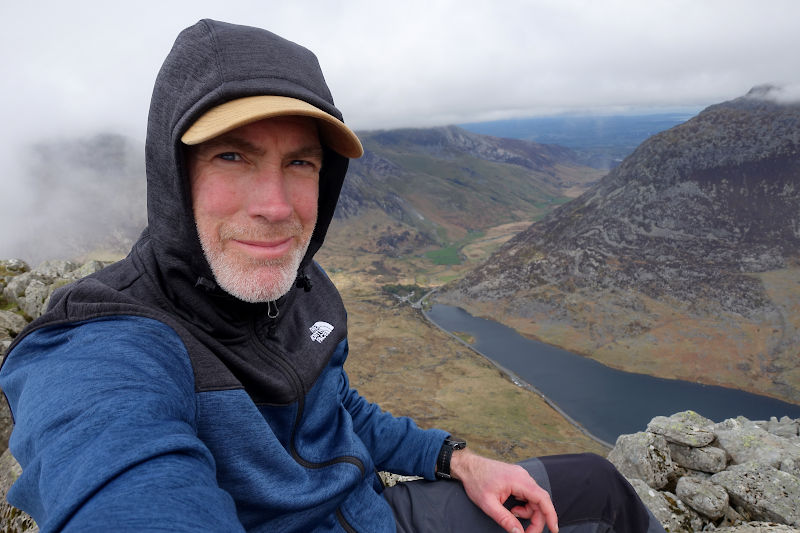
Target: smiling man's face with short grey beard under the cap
(254, 196)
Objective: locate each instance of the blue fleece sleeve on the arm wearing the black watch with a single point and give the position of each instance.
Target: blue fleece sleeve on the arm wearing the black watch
(396, 444)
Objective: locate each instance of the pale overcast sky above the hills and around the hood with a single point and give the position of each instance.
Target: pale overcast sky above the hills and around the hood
(73, 68)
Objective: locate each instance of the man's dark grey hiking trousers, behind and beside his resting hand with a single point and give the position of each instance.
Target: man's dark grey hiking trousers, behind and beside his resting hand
(589, 494)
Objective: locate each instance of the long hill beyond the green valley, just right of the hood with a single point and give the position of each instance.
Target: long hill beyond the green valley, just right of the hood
(434, 186)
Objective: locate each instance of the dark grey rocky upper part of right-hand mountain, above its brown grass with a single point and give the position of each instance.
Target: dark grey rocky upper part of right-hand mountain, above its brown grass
(686, 215)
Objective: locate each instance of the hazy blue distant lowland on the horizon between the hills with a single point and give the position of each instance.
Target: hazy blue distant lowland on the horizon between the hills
(602, 141)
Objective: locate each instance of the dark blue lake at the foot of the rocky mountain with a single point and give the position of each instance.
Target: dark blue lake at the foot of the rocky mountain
(605, 401)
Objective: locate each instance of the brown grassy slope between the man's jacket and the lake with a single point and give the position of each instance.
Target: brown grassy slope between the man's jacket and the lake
(411, 368)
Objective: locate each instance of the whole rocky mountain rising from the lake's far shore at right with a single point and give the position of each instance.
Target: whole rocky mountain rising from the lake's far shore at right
(682, 261)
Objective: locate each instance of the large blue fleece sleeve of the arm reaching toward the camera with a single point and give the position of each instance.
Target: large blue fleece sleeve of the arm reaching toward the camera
(105, 431)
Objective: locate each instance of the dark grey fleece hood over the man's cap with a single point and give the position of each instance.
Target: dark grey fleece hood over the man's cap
(211, 63)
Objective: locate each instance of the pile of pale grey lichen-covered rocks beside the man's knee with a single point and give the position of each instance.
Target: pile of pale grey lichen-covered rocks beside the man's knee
(734, 476)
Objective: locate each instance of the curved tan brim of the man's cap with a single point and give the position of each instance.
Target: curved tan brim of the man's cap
(242, 111)
